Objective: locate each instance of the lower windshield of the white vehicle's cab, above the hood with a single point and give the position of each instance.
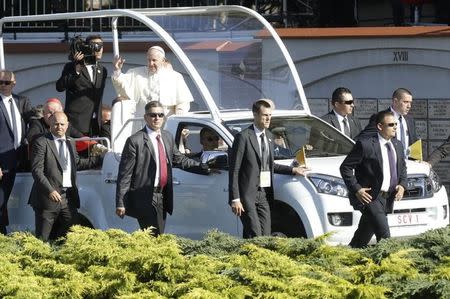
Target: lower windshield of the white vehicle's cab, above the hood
(291, 134)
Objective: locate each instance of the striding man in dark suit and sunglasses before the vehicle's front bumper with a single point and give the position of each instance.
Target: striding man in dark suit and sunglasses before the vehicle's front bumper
(375, 175)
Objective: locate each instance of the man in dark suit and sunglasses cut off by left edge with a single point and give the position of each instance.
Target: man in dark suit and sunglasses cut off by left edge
(15, 112)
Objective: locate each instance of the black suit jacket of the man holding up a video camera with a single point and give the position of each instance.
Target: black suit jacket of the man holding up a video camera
(83, 97)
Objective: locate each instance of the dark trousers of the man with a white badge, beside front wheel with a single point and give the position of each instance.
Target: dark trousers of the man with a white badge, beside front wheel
(256, 218)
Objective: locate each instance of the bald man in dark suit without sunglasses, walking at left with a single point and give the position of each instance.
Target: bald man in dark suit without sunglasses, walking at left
(54, 195)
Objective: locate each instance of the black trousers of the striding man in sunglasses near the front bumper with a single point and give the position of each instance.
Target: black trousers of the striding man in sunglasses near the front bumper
(373, 221)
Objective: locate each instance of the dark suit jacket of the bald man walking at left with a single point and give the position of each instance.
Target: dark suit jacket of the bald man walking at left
(48, 175)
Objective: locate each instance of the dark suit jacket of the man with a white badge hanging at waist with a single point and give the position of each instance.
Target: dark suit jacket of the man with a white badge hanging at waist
(245, 167)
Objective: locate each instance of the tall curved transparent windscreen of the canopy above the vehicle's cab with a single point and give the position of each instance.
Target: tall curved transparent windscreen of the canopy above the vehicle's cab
(238, 59)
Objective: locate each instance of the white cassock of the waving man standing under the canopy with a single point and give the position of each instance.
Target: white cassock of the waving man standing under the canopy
(166, 86)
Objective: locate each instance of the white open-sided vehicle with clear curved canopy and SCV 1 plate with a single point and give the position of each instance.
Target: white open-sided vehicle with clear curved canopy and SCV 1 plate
(231, 56)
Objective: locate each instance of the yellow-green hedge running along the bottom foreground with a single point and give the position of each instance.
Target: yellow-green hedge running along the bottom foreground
(114, 264)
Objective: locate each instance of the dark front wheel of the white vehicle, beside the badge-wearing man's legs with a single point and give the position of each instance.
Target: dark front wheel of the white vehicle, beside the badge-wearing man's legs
(286, 222)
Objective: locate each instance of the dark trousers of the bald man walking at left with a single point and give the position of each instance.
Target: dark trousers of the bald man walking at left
(55, 223)
